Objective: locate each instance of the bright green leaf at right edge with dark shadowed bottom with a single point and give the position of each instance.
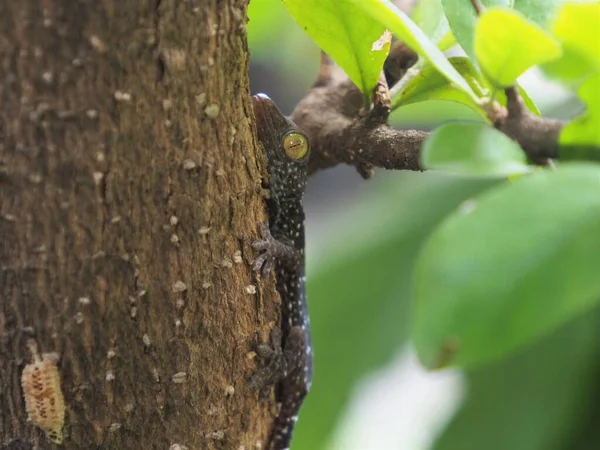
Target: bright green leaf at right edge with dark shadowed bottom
(580, 138)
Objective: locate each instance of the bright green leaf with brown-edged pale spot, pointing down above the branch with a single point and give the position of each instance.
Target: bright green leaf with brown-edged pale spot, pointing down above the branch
(351, 38)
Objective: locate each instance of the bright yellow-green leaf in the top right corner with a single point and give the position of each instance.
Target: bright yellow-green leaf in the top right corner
(577, 27)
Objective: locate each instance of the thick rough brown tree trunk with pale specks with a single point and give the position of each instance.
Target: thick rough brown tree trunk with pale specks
(130, 190)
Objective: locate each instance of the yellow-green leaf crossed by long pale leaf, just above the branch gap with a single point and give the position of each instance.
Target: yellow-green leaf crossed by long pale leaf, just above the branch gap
(429, 84)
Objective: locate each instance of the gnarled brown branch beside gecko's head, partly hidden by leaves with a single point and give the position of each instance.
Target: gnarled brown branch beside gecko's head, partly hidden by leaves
(341, 132)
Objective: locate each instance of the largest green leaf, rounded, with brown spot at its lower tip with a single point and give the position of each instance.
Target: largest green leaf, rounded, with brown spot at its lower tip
(509, 267)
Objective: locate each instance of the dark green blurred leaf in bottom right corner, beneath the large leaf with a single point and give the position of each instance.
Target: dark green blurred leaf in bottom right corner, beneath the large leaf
(534, 400)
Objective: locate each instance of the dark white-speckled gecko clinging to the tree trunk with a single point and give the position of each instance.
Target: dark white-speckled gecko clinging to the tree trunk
(282, 247)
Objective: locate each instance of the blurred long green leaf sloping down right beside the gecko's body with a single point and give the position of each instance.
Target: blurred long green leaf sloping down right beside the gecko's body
(358, 289)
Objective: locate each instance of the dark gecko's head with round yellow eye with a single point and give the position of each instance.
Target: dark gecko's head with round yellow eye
(286, 145)
